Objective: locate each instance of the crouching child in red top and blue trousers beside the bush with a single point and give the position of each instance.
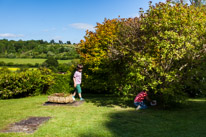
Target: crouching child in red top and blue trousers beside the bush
(139, 100)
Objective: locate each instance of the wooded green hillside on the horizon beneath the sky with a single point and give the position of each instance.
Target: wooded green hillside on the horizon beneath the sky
(37, 49)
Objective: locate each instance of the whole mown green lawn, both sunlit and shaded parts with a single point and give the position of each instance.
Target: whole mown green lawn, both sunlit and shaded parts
(106, 116)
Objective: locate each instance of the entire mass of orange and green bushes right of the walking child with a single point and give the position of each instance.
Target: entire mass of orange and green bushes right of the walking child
(155, 52)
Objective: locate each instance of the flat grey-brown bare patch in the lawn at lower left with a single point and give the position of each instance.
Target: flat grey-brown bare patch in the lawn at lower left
(28, 126)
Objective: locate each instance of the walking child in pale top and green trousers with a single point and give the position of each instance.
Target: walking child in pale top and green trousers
(77, 78)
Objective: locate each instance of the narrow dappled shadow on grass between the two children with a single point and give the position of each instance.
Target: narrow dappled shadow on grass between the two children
(108, 100)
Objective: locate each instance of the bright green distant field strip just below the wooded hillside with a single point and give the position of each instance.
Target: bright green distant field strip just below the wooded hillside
(29, 60)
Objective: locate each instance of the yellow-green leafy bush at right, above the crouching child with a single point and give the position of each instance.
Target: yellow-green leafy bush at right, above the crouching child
(172, 39)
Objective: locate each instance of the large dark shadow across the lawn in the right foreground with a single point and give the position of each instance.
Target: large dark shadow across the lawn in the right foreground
(190, 120)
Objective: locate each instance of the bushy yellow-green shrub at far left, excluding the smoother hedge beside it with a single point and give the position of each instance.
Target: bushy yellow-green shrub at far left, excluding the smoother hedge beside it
(28, 83)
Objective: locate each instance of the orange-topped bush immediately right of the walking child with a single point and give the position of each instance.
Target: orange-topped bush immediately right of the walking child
(95, 55)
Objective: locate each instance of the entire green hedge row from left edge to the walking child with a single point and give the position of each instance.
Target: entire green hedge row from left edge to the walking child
(32, 82)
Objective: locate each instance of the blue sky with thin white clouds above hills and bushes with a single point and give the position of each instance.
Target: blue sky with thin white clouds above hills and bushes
(65, 20)
